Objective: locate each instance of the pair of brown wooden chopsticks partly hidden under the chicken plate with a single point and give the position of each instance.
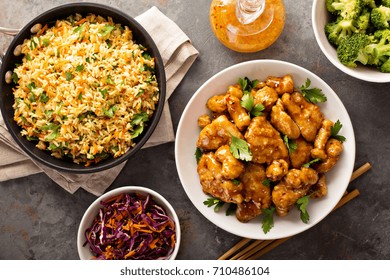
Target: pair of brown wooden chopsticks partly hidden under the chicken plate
(260, 247)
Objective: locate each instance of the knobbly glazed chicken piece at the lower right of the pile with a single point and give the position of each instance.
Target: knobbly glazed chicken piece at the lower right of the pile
(294, 185)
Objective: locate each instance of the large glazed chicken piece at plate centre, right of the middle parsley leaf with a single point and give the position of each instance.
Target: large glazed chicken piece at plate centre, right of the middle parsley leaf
(264, 141)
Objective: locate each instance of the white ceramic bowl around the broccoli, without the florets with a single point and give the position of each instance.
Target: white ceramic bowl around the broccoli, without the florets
(320, 17)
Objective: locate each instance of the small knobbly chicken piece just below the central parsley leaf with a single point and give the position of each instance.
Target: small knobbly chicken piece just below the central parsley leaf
(231, 167)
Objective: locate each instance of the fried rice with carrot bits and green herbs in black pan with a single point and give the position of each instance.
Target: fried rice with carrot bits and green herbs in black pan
(85, 89)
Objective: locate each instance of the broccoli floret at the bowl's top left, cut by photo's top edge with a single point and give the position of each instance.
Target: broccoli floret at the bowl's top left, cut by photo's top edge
(347, 9)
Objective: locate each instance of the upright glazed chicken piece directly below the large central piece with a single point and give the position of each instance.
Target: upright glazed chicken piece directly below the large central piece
(253, 189)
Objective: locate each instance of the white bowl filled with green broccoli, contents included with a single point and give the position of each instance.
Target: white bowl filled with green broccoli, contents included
(355, 36)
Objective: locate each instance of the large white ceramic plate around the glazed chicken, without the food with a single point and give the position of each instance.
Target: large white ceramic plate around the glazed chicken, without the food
(188, 132)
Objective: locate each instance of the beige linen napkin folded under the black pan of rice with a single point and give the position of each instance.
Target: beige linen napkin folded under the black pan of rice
(177, 53)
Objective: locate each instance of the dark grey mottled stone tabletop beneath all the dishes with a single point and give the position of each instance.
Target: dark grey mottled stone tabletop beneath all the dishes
(39, 220)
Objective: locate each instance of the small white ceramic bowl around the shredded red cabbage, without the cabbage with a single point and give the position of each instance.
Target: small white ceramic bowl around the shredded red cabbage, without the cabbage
(93, 210)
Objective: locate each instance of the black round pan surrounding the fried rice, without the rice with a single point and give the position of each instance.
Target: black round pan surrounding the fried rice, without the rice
(6, 96)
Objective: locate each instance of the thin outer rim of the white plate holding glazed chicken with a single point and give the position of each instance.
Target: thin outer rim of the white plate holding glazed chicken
(351, 140)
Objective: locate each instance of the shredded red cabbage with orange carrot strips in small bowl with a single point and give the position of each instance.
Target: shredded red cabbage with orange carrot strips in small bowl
(131, 227)
